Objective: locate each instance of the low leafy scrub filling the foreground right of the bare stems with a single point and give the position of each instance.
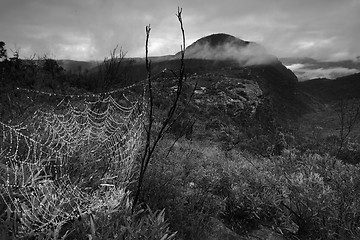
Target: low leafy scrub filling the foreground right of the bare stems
(304, 195)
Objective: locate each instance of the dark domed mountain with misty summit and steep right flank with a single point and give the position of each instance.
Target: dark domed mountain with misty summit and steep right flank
(277, 83)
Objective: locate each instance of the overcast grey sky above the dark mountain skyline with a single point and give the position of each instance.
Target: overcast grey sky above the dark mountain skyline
(89, 29)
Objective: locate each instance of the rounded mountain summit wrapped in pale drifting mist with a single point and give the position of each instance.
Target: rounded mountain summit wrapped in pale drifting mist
(223, 46)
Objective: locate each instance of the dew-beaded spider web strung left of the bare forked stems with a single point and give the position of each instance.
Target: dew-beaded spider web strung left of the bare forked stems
(55, 161)
